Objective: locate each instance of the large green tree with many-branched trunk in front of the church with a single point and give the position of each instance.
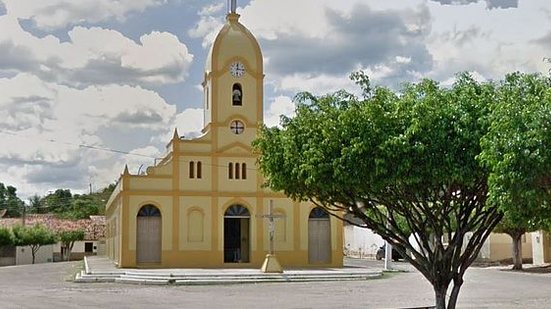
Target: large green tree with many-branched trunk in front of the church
(404, 163)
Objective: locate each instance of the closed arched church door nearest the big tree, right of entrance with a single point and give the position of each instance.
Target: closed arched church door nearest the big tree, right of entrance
(319, 236)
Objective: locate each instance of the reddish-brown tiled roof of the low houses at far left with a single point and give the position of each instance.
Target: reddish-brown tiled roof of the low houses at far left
(93, 227)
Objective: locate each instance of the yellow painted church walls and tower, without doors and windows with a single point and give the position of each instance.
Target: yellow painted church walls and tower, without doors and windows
(192, 210)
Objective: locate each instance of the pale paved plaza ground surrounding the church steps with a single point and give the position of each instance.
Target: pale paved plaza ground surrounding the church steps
(50, 286)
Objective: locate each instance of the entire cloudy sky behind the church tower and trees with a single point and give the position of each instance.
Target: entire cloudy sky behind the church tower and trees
(81, 76)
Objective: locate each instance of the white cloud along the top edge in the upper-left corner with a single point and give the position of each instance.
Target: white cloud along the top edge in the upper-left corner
(54, 14)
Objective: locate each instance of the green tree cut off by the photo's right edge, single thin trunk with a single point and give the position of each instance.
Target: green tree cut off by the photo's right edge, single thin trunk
(517, 151)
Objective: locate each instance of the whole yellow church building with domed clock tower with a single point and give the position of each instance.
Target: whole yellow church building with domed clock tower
(203, 205)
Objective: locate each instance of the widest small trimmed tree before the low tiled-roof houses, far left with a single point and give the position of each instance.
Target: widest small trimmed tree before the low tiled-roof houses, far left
(35, 237)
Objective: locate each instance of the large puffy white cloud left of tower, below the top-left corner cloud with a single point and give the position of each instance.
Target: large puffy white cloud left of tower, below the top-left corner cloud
(159, 58)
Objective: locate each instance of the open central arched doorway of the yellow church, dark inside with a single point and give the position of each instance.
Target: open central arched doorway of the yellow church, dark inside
(236, 234)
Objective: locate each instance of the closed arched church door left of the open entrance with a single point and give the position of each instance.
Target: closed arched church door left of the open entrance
(148, 235)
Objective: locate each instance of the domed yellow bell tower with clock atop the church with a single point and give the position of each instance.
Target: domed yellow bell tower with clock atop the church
(233, 84)
